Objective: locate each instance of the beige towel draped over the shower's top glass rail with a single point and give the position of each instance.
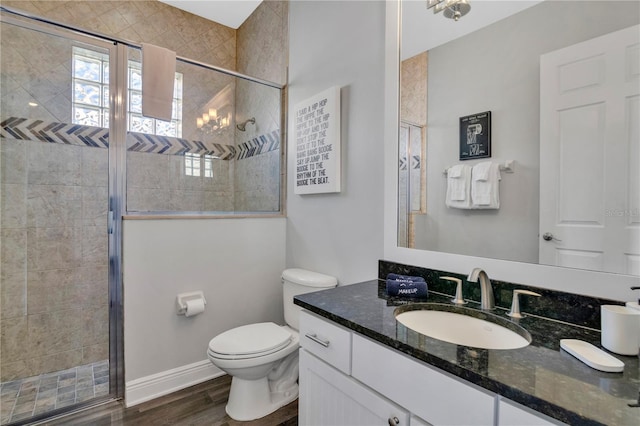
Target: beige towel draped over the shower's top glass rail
(158, 76)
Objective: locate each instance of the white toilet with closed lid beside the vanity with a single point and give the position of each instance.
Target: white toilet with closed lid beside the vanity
(263, 358)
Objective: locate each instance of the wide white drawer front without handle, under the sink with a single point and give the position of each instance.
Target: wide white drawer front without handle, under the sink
(431, 394)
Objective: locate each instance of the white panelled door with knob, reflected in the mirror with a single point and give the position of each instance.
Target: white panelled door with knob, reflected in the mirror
(590, 155)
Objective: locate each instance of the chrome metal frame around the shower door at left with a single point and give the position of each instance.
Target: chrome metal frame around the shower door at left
(116, 184)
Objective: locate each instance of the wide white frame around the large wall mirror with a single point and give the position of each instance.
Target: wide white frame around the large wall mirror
(577, 281)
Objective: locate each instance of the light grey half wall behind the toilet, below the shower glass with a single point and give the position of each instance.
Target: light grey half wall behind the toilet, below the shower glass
(236, 262)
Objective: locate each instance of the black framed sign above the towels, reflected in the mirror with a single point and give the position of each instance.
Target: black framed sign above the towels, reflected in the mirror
(475, 136)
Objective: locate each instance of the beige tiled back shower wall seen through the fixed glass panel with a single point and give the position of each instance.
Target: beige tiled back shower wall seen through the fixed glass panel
(156, 177)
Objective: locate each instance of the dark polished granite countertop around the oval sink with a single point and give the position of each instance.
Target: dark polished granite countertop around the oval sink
(540, 376)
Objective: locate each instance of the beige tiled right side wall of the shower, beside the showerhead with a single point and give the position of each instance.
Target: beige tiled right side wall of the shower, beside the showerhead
(262, 52)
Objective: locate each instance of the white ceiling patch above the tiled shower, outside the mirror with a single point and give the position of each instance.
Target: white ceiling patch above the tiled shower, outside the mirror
(231, 13)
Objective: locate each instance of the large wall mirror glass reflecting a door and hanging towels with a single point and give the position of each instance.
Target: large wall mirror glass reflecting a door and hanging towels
(562, 82)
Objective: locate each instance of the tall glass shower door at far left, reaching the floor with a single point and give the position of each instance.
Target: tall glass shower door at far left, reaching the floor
(54, 195)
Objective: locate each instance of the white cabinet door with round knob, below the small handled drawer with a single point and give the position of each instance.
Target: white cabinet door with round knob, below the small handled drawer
(328, 397)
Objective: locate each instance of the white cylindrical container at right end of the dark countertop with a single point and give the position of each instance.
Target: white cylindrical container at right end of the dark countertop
(620, 329)
